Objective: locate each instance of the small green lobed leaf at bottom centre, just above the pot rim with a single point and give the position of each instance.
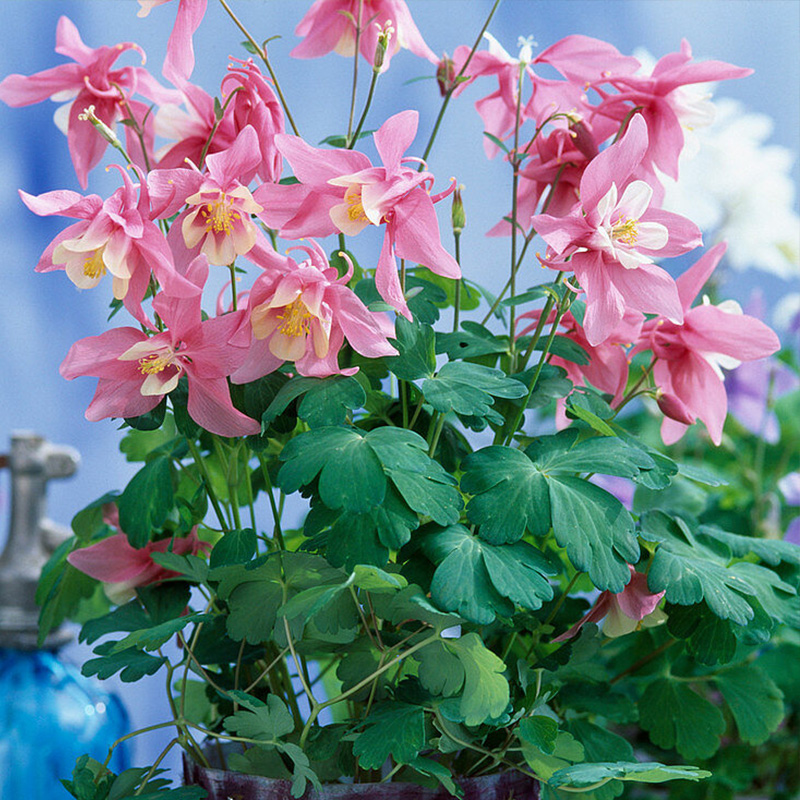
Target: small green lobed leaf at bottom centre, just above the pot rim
(392, 729)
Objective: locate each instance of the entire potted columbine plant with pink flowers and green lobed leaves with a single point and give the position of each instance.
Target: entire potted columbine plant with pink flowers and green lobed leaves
(447, 608)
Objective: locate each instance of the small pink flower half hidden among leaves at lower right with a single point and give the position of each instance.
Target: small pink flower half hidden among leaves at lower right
(623, 612)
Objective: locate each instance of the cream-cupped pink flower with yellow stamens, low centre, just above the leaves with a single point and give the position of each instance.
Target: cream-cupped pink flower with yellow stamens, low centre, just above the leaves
(304, 314)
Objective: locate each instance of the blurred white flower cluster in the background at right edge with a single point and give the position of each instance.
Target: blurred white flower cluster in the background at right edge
(751, 206)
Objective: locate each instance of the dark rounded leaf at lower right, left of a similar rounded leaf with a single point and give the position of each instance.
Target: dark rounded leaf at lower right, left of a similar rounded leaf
(678, 718)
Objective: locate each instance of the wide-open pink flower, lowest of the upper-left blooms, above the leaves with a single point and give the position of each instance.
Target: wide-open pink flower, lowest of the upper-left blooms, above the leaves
(137, 370)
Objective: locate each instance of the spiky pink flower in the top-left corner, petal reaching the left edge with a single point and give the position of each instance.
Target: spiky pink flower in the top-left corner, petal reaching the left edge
(89, 81)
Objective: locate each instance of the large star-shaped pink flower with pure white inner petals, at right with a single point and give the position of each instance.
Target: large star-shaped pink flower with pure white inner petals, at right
(612, 235)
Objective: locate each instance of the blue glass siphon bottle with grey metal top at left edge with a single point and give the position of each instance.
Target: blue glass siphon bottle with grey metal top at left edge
(50, 714)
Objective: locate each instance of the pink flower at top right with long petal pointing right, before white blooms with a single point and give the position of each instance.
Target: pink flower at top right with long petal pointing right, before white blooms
(664, 103)
